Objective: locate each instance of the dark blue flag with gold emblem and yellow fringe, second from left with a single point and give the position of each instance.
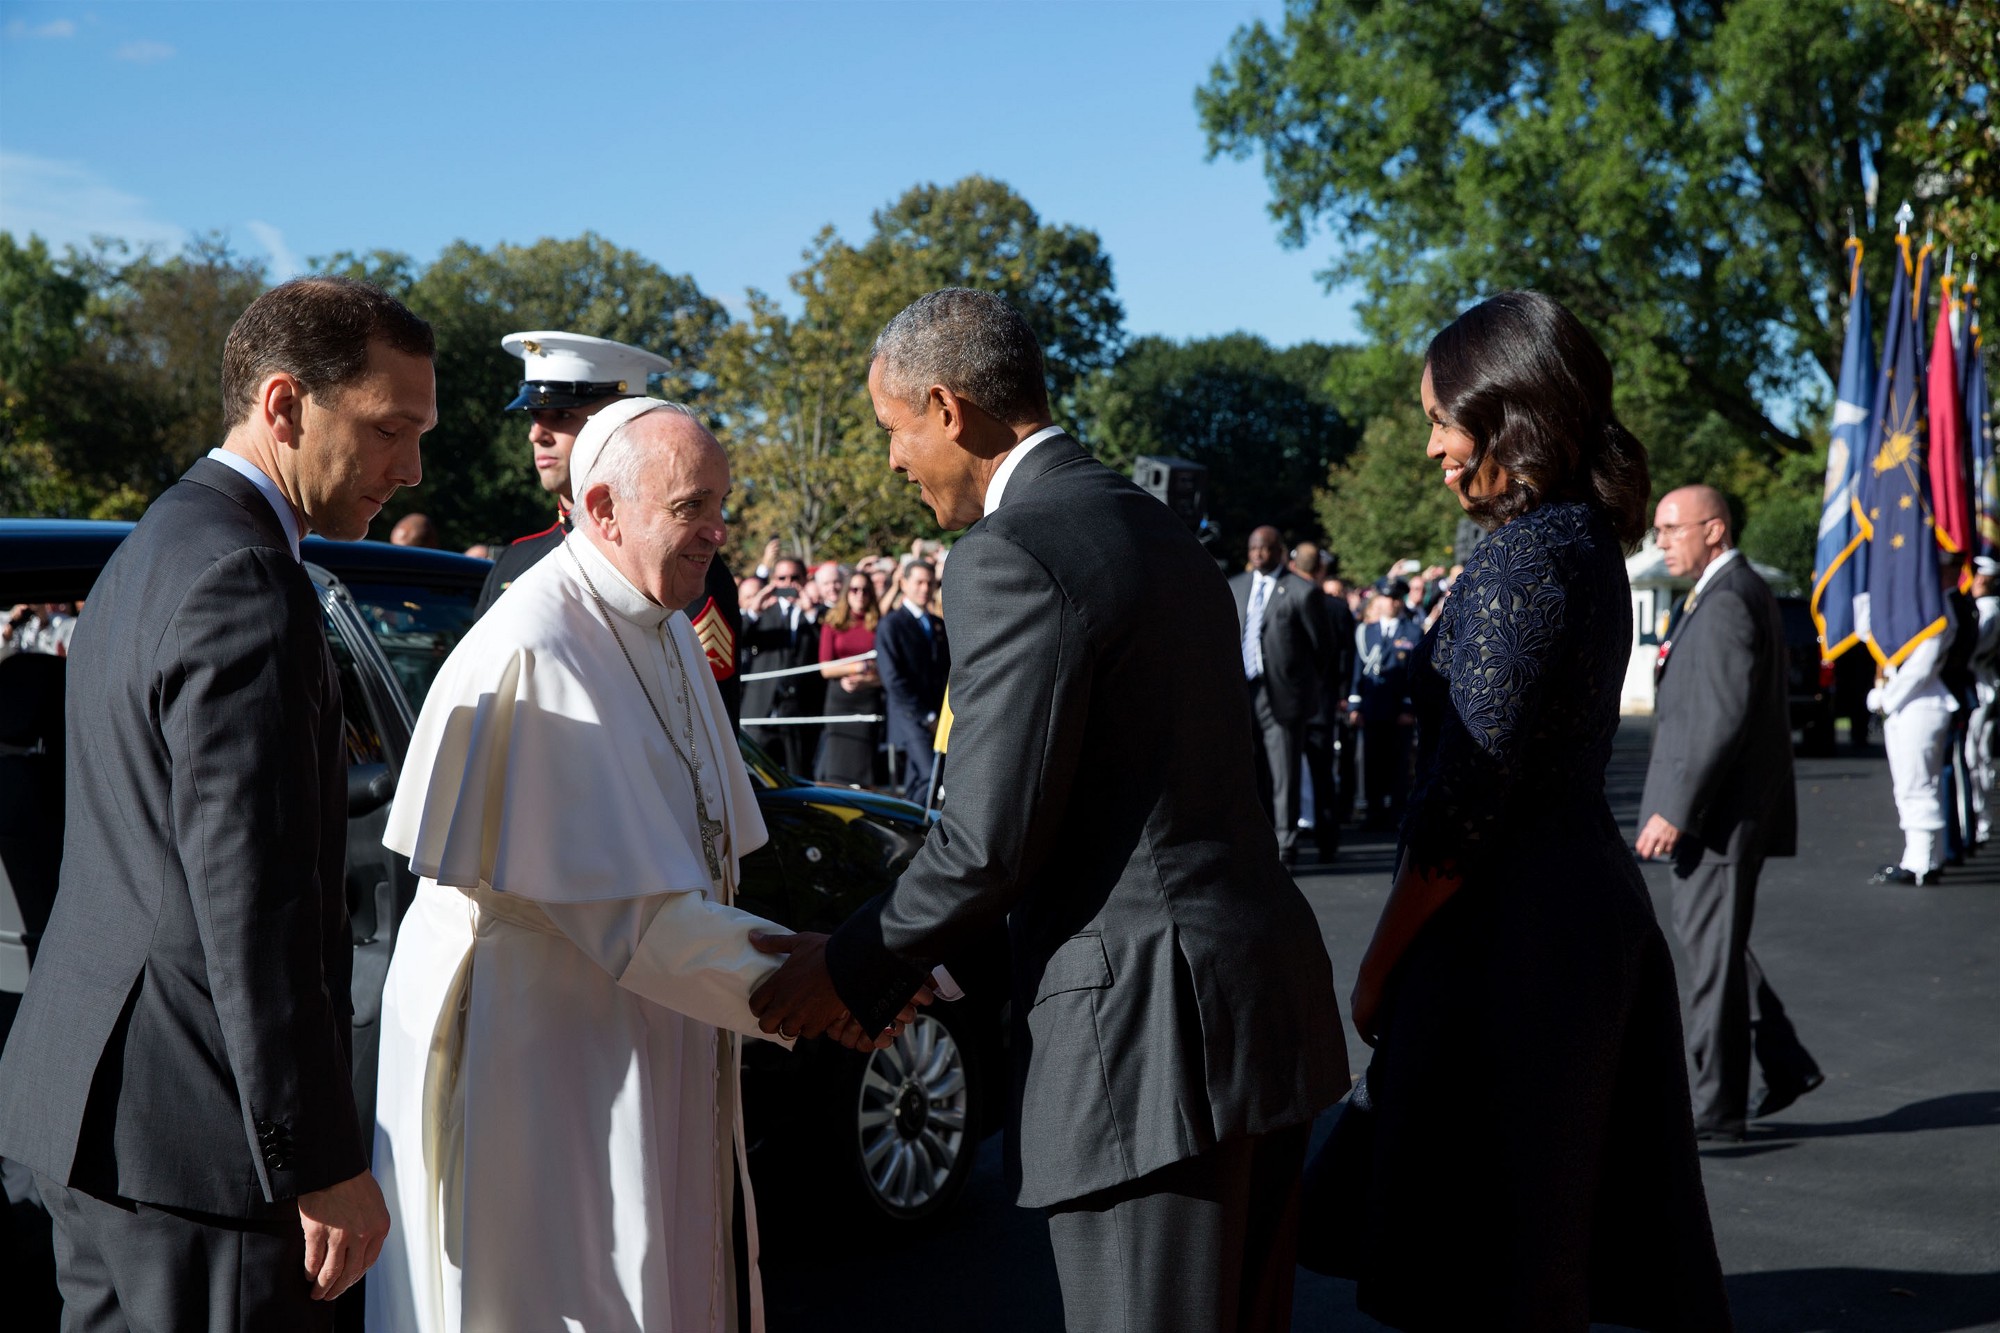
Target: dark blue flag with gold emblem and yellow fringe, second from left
(1905, 599)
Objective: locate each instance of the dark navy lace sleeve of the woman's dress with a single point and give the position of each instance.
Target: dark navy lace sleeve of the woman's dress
(1501, 635)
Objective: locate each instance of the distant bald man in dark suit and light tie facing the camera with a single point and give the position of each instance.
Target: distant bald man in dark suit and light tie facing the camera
(1281, 625)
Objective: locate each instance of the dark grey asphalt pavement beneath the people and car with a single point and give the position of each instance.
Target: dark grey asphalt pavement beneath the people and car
(1873, 1206)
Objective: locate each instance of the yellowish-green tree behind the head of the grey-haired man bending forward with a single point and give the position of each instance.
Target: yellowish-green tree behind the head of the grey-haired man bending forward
(793, 391)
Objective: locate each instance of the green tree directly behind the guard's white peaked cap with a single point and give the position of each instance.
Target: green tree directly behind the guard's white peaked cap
(479, 483)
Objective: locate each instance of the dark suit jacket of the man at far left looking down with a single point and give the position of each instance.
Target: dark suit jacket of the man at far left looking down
(187, 1028)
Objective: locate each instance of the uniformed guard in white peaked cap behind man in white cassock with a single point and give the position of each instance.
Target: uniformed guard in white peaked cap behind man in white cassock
(567, 379)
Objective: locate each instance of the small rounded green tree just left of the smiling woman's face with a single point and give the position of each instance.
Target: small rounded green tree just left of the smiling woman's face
(1389, 503)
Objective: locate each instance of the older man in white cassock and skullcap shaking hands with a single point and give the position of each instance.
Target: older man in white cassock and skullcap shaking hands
(559, 1130)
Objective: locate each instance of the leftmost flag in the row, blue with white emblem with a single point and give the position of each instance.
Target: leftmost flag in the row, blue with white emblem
(1843, 553)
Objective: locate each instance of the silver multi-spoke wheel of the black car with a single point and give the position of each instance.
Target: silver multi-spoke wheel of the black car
(911, 1122)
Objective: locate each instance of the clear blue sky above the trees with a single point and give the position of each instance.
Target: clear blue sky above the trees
(715, 139)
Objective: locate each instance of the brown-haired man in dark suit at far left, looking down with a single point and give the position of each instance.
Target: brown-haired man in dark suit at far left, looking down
(179, 1072)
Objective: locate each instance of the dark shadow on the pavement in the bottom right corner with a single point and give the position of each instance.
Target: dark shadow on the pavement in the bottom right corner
(1863, 1302)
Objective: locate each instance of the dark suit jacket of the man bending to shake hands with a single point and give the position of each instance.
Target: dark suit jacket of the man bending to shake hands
(1171, 990)
